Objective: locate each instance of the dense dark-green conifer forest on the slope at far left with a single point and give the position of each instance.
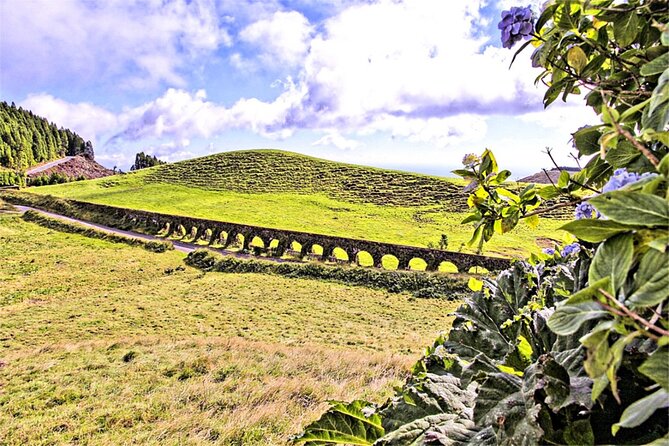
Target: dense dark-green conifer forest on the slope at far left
(27, 139)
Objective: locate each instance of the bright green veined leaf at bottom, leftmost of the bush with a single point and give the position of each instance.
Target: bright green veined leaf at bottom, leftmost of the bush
(344, 424)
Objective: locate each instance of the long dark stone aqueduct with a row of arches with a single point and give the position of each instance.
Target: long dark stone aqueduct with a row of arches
(225, 234)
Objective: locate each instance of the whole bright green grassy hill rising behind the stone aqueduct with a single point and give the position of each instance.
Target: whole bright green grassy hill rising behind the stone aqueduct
(290, 191)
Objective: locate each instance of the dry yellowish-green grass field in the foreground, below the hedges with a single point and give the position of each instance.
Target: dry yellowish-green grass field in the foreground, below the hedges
(102, 343)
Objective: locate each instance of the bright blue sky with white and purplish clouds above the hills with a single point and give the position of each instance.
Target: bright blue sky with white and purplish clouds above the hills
(407, 84)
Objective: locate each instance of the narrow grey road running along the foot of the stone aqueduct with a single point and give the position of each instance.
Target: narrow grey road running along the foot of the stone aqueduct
(178, 245)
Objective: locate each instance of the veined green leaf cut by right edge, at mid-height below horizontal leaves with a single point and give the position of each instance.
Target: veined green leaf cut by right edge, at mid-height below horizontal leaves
(651, 280)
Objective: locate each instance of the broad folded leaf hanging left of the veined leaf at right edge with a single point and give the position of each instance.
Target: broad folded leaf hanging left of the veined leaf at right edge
(613, 259)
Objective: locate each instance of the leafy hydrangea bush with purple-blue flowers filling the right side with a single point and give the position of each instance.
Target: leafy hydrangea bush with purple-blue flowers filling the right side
(545, 346)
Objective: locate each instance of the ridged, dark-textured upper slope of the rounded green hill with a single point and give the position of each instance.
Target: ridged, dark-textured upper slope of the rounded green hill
(262, 171)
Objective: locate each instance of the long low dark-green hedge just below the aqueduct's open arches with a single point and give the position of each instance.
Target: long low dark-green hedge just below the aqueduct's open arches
(425, 285)
